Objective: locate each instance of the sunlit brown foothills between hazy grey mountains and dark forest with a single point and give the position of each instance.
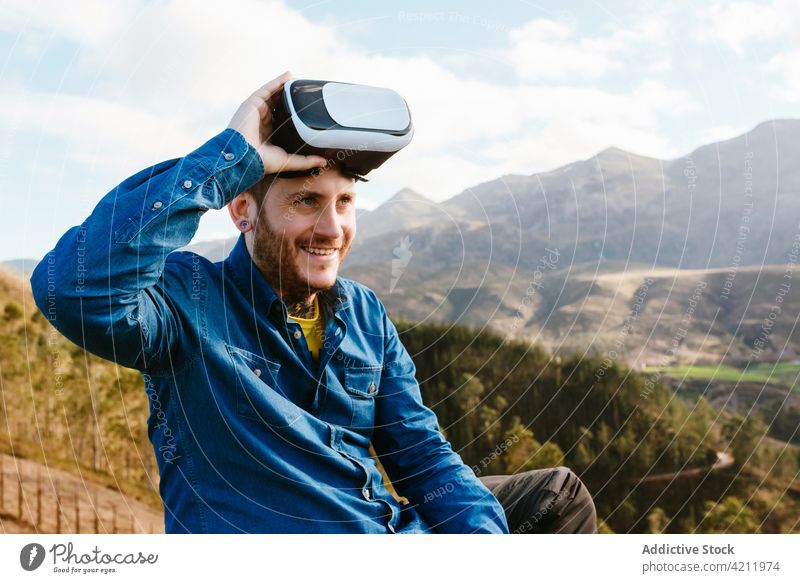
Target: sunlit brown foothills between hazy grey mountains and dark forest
(643, 316)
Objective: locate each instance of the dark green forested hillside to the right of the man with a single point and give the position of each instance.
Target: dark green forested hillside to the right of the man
(652, 459)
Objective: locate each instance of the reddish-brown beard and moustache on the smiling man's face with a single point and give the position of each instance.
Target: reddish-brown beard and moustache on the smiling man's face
(278, 259)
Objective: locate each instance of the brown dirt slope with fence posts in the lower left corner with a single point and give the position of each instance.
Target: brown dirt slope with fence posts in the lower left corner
(48, 500)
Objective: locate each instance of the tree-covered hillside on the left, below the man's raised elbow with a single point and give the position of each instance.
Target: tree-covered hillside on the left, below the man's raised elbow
(68, 408)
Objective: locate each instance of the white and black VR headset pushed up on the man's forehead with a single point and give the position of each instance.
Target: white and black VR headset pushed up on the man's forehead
(357, 127)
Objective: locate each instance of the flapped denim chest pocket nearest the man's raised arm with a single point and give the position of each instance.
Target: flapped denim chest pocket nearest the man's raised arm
(258, 395)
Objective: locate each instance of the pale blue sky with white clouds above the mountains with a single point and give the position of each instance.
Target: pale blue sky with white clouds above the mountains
(93, 91)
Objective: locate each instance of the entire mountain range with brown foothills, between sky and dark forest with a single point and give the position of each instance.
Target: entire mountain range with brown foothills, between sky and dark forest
(588, 234)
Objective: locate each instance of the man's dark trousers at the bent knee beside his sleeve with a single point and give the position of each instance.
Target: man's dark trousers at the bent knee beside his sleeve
(552, 500)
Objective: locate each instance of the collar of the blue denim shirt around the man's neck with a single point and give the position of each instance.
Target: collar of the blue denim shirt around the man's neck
(252, 283)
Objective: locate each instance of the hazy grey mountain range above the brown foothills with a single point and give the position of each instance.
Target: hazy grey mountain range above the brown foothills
(618, 206)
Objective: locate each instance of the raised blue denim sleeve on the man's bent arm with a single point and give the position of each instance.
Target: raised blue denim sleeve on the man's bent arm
(101, 278)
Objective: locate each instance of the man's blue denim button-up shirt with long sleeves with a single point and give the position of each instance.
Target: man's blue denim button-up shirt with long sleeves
(250, 435)
